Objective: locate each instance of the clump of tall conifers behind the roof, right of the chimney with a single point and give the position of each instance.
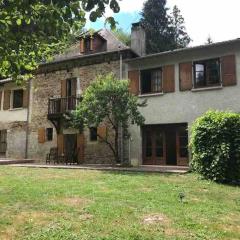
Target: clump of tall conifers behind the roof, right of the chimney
(163, 31)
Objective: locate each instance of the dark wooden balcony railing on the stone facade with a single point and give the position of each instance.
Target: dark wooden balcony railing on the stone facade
(58, 106)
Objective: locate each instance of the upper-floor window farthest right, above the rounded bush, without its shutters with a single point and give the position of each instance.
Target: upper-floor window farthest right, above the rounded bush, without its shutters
(207, 73)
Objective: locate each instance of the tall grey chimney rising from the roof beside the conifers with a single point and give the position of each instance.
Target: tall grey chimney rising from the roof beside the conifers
(138, 39)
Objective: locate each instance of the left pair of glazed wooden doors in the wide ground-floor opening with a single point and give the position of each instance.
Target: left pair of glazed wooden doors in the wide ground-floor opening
(154, 150)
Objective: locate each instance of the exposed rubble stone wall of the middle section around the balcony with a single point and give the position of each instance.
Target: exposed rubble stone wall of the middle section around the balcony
(48, 85)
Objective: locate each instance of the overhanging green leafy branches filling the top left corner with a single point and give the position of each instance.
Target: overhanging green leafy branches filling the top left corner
(32, 31)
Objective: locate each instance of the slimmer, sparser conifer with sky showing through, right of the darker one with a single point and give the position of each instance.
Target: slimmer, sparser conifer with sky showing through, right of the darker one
(178, 30)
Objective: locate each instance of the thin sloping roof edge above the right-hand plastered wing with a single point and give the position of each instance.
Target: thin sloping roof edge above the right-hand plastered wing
(186, 49)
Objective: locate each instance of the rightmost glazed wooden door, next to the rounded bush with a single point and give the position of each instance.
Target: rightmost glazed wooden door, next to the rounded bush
(182, 146)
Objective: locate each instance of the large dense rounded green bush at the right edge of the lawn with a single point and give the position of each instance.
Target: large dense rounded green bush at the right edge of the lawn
(215, 144)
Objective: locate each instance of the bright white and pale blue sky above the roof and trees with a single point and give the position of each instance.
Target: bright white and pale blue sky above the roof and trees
(216, 18)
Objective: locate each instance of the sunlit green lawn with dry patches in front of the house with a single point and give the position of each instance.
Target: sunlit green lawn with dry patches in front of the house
(76, 204)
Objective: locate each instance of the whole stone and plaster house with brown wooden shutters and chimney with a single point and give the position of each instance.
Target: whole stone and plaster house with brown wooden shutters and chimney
(179, 86)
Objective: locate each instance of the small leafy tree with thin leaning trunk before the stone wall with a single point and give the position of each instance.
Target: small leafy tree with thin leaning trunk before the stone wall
(107, 100)
